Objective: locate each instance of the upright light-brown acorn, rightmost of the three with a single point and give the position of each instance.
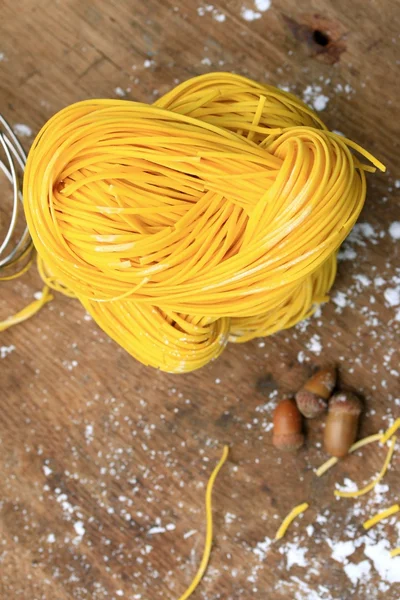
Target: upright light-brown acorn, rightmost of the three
(342, 423)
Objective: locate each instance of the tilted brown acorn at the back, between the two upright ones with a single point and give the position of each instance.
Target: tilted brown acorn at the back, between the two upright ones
(313, 396)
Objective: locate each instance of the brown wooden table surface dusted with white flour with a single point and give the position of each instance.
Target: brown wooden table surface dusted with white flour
(97, 450)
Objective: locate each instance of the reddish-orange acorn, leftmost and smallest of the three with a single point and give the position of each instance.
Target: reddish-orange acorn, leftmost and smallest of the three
(288, 433)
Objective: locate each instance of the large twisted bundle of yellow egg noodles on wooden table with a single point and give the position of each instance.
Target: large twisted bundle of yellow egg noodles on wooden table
(213, 215)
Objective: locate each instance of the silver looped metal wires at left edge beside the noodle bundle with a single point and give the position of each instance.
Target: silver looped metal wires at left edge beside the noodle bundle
(12, 163)
